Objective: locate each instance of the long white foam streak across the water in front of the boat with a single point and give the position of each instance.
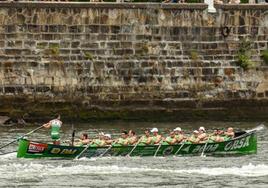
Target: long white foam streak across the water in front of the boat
(34, 170)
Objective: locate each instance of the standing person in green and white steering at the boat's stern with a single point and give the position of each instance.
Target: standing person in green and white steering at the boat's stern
(55, 126)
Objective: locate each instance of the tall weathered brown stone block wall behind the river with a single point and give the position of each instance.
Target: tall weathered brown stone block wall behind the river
(129, 61)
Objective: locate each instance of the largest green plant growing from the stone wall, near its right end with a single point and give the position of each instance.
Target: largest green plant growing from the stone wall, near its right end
(243, 56)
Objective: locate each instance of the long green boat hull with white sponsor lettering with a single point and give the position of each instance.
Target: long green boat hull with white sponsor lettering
(244, 144)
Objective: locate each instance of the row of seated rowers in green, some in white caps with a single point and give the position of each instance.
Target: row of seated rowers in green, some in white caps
(175, 137)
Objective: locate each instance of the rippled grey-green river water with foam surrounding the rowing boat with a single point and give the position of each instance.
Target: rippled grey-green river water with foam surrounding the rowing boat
(242, 171)
